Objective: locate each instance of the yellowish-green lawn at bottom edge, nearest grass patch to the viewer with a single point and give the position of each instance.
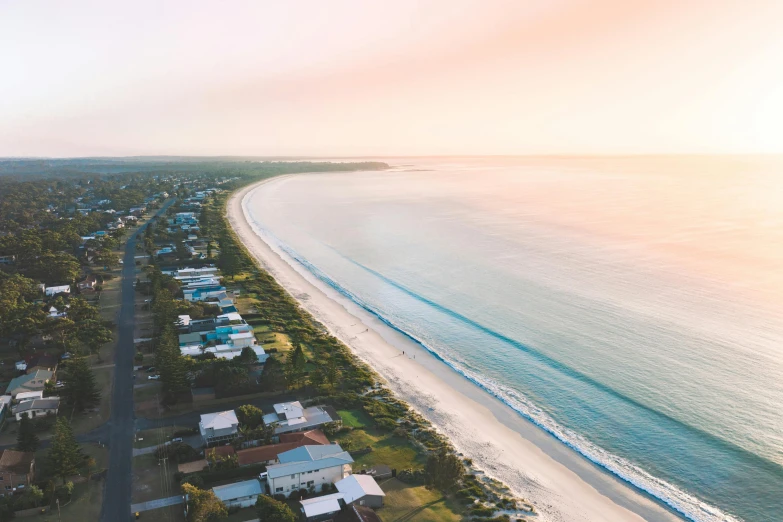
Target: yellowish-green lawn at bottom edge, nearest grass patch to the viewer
(405, 503)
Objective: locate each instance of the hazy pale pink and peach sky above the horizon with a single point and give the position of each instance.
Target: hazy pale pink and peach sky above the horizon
(333, 77)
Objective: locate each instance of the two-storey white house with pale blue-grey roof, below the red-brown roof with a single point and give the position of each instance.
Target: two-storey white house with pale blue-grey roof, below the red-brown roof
(308, 467)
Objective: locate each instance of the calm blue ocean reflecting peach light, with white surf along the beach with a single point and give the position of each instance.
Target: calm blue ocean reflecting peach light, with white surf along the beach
(632, 307)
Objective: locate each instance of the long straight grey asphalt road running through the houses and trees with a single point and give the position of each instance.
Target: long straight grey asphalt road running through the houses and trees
(120, 428)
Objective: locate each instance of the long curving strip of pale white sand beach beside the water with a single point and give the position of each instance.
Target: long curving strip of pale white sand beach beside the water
(562, 485)
